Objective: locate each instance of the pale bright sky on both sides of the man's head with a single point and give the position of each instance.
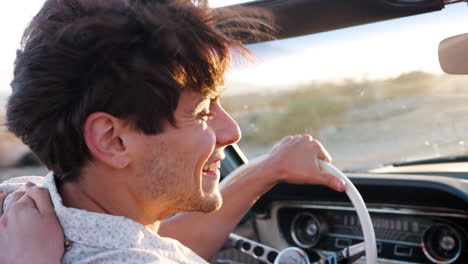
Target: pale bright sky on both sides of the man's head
(377, 50)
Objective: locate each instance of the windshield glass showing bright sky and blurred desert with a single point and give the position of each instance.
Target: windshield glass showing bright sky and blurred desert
(372, 94)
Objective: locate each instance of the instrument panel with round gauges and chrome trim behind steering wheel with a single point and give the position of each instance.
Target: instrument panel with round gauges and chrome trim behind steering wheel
(405, 236)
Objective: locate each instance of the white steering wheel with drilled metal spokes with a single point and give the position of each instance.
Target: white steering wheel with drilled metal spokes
(271, 255)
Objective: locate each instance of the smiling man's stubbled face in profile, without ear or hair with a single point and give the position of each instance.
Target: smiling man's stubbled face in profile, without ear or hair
(180, 166)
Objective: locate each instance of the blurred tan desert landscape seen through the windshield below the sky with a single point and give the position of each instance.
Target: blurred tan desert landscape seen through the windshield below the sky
(364, 123)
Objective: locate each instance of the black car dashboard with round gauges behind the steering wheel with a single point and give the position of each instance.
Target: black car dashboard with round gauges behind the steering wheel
(417, 218)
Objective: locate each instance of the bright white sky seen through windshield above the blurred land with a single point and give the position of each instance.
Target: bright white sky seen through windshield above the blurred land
(375, 51)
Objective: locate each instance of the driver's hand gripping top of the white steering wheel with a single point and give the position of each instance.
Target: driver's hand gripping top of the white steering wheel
(295, 160)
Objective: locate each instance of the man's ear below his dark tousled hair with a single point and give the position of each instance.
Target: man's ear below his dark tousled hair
(104, 136)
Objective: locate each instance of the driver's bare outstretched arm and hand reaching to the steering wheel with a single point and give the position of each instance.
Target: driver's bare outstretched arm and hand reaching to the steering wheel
(293, 160)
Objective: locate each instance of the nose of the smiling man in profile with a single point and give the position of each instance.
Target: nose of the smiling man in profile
(226, 129)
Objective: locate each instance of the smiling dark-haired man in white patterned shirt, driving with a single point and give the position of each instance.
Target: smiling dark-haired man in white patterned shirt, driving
(120, 100)
